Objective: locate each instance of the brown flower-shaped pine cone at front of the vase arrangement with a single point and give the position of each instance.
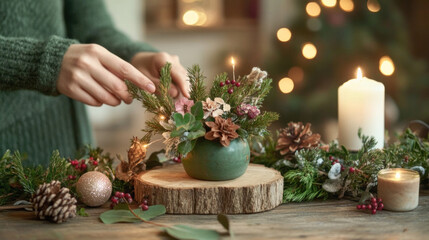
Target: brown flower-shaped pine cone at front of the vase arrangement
(223, 129)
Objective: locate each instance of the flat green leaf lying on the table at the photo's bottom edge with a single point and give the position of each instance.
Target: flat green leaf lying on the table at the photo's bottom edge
(190, 233)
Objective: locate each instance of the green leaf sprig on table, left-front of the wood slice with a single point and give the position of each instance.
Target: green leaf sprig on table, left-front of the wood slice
(115, 216)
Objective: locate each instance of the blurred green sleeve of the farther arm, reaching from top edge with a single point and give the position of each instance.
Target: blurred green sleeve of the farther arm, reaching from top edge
(89, 22)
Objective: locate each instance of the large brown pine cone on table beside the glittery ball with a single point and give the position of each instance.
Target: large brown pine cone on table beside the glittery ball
(53, 203)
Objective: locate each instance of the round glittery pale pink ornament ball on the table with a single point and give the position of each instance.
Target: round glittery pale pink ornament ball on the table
(94, 188)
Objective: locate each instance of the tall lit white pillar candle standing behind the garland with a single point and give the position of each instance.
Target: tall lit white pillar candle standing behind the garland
(360, 105)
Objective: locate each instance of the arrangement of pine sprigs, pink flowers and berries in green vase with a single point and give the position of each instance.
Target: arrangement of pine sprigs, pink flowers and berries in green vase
(230, 109)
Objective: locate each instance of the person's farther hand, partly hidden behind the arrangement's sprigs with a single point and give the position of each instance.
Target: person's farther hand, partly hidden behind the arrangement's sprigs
(150, 63)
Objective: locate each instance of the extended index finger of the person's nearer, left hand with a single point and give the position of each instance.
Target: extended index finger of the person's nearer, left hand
(124, 70)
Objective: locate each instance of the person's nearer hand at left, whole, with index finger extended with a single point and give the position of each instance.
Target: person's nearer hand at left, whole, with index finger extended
(91, 74)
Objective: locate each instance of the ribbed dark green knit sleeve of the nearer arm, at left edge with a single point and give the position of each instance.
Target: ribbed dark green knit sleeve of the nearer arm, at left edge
(27, 63)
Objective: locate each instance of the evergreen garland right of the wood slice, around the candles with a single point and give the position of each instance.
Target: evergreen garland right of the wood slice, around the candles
(336, 172)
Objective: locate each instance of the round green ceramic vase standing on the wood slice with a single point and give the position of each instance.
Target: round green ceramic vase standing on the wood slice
(209, 160)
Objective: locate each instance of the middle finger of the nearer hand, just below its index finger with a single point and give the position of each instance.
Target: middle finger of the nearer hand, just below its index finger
(112, 83)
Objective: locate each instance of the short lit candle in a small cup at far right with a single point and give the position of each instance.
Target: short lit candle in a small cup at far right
(398, 188)
